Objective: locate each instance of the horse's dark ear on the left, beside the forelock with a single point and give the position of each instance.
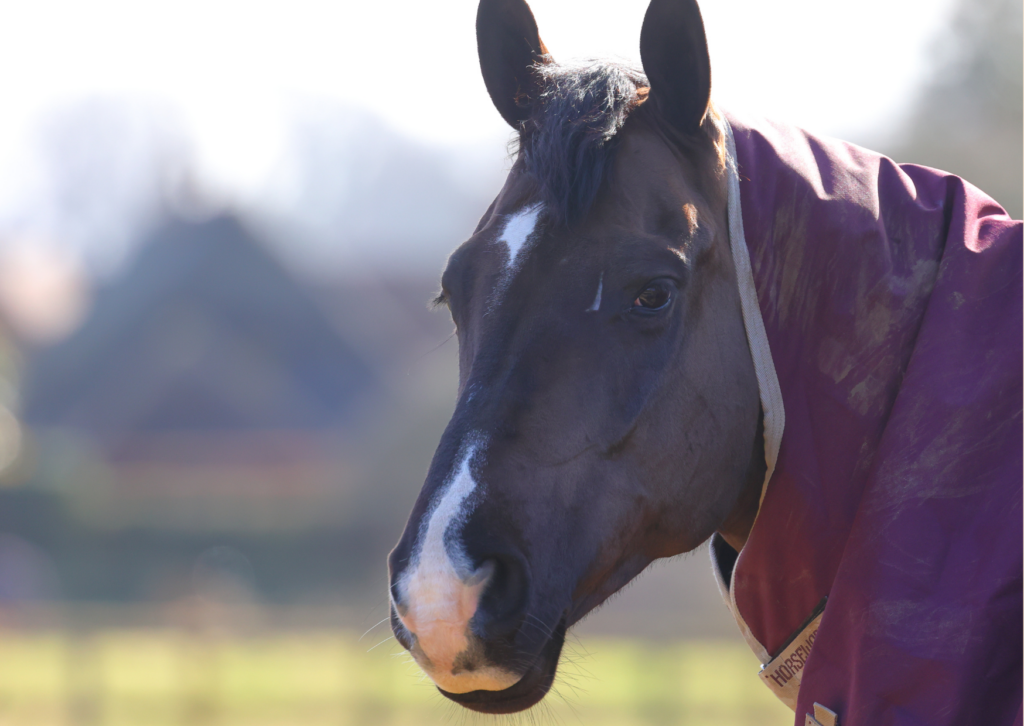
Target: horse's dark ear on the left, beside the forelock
(509, 46)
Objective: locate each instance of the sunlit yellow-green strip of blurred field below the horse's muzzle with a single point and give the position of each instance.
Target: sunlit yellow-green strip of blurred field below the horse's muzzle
(144, 677)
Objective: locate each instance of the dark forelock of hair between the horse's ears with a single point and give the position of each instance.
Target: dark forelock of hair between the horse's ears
(569, 142)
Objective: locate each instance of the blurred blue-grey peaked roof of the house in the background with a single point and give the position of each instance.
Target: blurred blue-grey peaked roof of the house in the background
(205, 331)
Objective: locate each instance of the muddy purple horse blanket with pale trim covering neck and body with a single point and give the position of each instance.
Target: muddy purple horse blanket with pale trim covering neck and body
(882, 580)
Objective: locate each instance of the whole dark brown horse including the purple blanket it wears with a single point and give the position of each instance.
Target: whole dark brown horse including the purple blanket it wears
(677, 326)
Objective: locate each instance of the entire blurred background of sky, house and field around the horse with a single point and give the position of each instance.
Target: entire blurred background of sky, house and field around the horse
(221, 224)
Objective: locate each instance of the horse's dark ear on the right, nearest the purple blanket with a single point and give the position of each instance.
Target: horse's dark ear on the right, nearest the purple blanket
(674, 54)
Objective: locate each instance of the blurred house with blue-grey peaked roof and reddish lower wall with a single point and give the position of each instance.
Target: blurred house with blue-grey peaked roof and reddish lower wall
(204, 375)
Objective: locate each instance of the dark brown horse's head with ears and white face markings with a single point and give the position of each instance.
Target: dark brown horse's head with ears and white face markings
(609, 409)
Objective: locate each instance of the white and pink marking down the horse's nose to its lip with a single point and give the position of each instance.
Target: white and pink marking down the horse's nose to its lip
(441, 590)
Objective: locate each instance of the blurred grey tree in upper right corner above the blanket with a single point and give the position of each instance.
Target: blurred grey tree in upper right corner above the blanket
(968, 120)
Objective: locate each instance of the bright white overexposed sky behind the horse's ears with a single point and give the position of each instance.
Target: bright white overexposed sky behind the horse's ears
(234, 71)
